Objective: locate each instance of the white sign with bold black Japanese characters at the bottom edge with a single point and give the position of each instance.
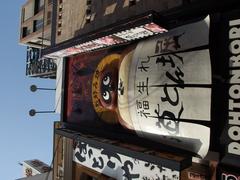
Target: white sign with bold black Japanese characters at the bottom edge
(119, 166)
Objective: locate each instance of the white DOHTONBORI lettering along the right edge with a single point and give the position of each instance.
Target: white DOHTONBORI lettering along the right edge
(234, 89)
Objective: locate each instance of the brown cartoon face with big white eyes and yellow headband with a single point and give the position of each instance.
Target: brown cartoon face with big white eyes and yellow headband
(104, 88)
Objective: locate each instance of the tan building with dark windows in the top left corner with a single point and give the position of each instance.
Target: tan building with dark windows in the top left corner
(35, 28)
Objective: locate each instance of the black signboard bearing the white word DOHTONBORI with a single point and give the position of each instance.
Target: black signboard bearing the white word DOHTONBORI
(226, 53)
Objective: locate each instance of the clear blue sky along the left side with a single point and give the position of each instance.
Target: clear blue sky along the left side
(22, 137)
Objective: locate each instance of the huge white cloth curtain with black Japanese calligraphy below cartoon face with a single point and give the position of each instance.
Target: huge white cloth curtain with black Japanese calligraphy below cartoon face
(169, 88)
